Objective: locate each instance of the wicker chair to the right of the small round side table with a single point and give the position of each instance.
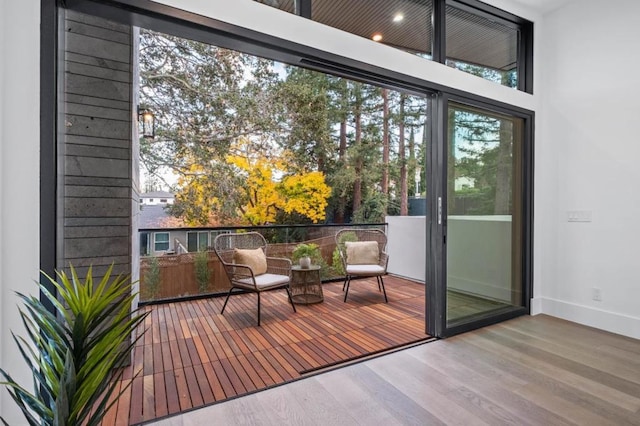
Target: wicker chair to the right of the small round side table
(372, 264)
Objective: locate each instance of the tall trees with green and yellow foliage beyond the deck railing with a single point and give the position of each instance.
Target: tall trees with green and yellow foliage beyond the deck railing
(214, 103)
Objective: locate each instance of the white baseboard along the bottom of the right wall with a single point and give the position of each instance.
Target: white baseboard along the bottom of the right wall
(587, 315)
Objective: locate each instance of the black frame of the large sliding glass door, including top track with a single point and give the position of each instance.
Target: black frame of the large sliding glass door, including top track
(148, 14)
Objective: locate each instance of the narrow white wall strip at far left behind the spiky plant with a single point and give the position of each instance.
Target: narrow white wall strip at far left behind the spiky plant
(19, 177)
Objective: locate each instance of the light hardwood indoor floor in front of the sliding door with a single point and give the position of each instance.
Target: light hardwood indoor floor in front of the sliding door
(528, 371)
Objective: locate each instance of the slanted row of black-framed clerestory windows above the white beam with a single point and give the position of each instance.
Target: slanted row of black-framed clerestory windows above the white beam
(465, 34)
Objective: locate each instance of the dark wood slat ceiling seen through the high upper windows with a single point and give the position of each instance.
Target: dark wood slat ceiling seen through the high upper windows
(470, 38)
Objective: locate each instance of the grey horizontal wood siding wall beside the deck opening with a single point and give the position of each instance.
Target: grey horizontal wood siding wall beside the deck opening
(96, 145)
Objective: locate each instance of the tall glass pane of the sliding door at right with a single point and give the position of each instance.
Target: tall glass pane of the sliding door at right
(484, 215)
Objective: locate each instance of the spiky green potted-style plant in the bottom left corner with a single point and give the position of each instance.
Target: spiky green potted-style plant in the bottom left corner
(76, 353)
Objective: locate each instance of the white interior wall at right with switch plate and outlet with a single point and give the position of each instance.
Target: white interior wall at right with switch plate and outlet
(587, 159)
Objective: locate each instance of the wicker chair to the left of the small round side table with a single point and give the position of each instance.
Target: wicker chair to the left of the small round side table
(244, 273)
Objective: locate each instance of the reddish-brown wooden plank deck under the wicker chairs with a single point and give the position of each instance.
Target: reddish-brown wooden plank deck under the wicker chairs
(193, 356)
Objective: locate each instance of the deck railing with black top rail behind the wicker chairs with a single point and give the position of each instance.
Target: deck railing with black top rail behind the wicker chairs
(188, 267)
